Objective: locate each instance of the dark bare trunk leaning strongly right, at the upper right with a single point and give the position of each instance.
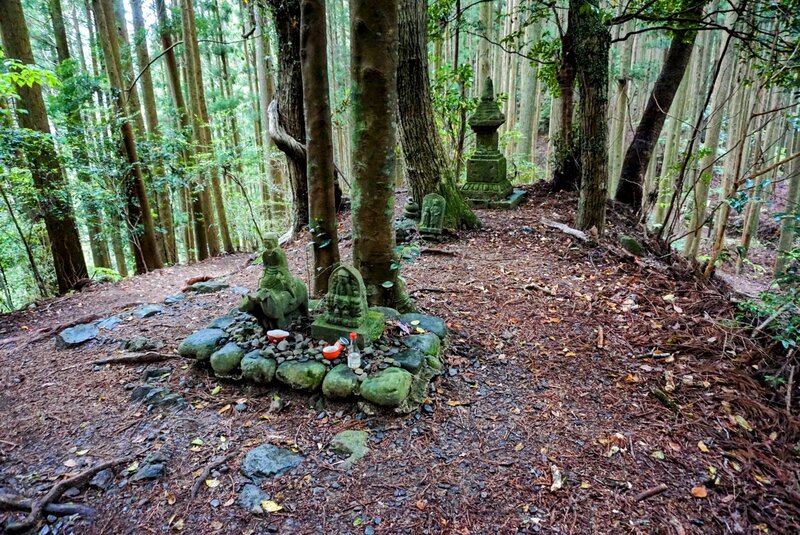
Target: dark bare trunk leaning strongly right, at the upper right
(637, 157)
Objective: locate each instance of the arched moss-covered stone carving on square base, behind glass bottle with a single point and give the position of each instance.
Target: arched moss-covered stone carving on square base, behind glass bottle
(347, 310)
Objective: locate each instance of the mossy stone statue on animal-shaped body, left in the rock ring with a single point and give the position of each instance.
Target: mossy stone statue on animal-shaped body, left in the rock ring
(280, 298)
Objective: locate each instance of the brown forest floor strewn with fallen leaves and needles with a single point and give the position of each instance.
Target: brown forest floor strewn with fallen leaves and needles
(556, 349)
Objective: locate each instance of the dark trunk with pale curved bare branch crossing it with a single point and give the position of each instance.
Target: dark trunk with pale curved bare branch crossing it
(286, 17)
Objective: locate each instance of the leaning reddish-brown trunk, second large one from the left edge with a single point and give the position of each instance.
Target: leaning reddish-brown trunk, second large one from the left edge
(141, 230)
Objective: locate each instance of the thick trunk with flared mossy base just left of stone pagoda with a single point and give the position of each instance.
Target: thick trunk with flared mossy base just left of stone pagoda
(428, 170)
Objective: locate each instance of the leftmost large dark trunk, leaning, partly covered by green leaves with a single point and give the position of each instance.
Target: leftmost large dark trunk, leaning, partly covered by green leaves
(48, 179)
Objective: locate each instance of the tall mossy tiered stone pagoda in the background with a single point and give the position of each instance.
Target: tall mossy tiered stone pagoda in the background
(487, 184)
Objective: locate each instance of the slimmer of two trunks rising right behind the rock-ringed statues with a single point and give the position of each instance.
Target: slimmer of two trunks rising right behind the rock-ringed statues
(321, 198)
